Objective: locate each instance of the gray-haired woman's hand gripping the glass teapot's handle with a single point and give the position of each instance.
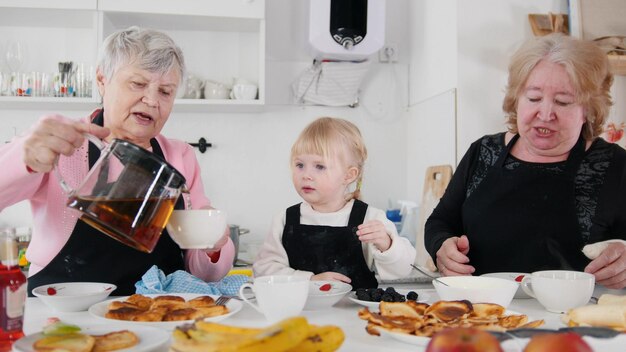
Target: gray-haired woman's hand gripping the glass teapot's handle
(54, 135)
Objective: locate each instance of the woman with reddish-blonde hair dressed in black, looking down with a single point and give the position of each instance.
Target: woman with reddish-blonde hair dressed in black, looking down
(534, 197)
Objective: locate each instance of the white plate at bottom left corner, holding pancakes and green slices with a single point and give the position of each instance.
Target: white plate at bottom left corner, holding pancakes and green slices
(150, 338)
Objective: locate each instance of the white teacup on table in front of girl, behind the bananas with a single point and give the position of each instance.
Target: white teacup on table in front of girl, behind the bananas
(278, 296)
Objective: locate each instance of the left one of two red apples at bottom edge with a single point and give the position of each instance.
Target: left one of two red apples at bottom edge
(463, 340)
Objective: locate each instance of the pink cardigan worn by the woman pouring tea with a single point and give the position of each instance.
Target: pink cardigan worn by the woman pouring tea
(53, 222)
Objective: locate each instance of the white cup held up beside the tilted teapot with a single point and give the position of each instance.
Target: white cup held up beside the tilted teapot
(197, 228)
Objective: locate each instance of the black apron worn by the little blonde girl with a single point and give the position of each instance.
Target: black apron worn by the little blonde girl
(319, 248)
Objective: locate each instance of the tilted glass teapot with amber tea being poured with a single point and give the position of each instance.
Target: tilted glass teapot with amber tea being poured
(128, 194)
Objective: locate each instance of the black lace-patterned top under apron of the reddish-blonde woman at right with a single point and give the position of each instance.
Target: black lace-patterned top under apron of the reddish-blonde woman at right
(599, 190)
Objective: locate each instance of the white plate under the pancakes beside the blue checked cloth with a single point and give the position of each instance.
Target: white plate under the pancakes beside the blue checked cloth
(98, 310)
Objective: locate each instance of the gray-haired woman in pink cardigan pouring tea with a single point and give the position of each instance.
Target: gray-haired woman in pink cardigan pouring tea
(138, 74)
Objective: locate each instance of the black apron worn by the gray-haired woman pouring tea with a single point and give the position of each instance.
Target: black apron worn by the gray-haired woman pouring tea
(91, 256)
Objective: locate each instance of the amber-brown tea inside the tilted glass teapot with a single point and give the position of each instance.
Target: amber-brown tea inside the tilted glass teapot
(135, 222)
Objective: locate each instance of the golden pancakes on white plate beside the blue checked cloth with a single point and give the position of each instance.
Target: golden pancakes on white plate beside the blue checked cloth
(164, 308)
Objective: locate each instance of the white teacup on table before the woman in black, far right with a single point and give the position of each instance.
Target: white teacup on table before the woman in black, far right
(559, 290)
